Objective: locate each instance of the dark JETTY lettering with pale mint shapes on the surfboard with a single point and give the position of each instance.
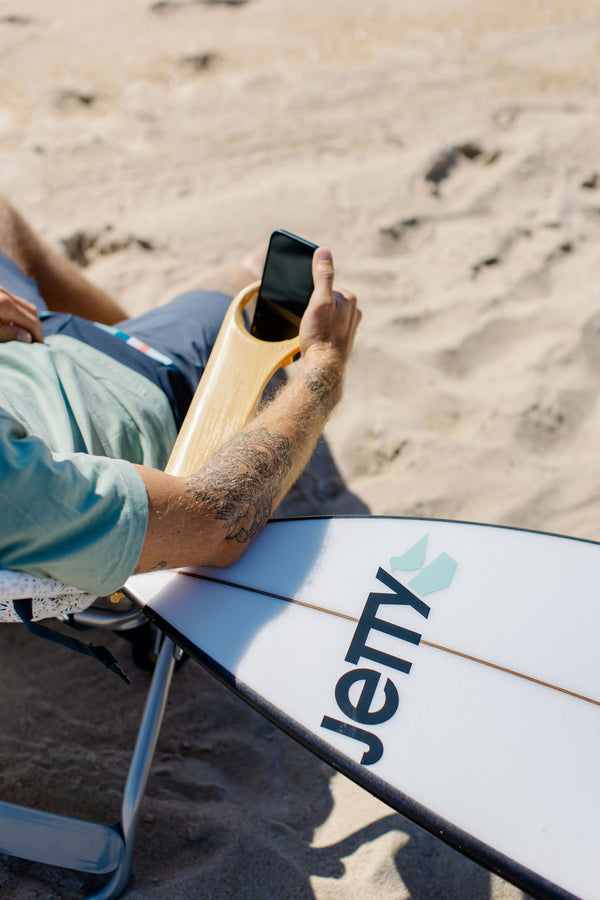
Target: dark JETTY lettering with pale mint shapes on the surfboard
(429, 578)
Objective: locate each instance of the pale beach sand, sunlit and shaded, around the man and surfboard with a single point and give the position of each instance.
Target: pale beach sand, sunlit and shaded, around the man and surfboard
(448, 153)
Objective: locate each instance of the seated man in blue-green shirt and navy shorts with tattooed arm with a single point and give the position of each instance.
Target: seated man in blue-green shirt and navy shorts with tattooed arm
(87, 421)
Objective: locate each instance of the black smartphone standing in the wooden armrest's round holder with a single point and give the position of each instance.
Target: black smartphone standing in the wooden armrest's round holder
(285, 289)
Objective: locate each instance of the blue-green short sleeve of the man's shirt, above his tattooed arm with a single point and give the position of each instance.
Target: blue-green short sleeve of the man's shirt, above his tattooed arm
(75, 517)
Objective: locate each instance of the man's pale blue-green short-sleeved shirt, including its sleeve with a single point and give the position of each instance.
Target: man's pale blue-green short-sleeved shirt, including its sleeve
(72, 422)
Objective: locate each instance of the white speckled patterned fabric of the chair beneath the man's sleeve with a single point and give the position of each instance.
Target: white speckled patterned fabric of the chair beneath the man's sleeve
(51, 599)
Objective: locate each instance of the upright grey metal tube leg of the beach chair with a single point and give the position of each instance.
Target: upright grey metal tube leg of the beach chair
(140, 768)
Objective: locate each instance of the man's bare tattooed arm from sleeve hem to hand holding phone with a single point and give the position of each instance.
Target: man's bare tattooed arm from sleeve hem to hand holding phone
(210, 517)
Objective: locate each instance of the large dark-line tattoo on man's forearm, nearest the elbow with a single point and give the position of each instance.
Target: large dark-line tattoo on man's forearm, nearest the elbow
(242, 481)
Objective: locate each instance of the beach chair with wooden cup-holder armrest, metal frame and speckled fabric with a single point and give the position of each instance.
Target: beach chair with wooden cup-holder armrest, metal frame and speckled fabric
(235, 377)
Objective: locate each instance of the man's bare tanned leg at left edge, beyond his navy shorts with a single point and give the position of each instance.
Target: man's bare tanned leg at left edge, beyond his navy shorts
(61, 284)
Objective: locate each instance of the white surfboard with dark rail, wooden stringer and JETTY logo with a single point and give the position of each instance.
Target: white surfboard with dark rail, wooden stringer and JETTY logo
(450, 669)
